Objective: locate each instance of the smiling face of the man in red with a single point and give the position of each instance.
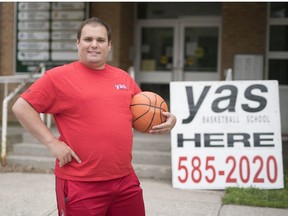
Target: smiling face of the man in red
(93, 46)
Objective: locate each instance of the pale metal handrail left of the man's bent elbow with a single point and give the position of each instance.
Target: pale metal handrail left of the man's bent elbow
(22, 80)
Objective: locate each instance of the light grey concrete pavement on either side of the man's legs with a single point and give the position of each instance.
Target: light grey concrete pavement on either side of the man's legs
(33, 194)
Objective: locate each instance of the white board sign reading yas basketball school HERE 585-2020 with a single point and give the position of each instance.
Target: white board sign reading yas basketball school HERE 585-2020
(228, 134)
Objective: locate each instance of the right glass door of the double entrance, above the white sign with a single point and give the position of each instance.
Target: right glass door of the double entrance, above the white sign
(199, 49)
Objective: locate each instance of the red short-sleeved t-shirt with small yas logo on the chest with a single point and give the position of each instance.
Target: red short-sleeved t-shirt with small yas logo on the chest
(91, 109)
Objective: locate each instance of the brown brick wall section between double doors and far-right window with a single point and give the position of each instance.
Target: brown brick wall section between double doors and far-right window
(243, 31)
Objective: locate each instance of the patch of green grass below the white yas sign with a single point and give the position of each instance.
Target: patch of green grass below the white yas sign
(258, 197)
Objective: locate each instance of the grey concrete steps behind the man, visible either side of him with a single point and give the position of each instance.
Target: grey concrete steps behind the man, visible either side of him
(151, 155)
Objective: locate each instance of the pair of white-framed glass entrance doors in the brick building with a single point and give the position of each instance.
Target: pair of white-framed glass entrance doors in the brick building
(183, 49)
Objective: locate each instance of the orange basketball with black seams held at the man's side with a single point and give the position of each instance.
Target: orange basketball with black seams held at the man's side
(147, 108)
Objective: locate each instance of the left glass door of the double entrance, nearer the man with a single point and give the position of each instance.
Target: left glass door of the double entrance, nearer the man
(155, 51)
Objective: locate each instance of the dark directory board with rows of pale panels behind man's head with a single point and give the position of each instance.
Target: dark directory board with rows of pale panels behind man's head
(46, 33)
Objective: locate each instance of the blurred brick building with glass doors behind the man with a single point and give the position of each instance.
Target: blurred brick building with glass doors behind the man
(156, 42)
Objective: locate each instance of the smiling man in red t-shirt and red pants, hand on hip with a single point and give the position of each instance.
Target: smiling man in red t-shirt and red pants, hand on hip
(94, 175)
